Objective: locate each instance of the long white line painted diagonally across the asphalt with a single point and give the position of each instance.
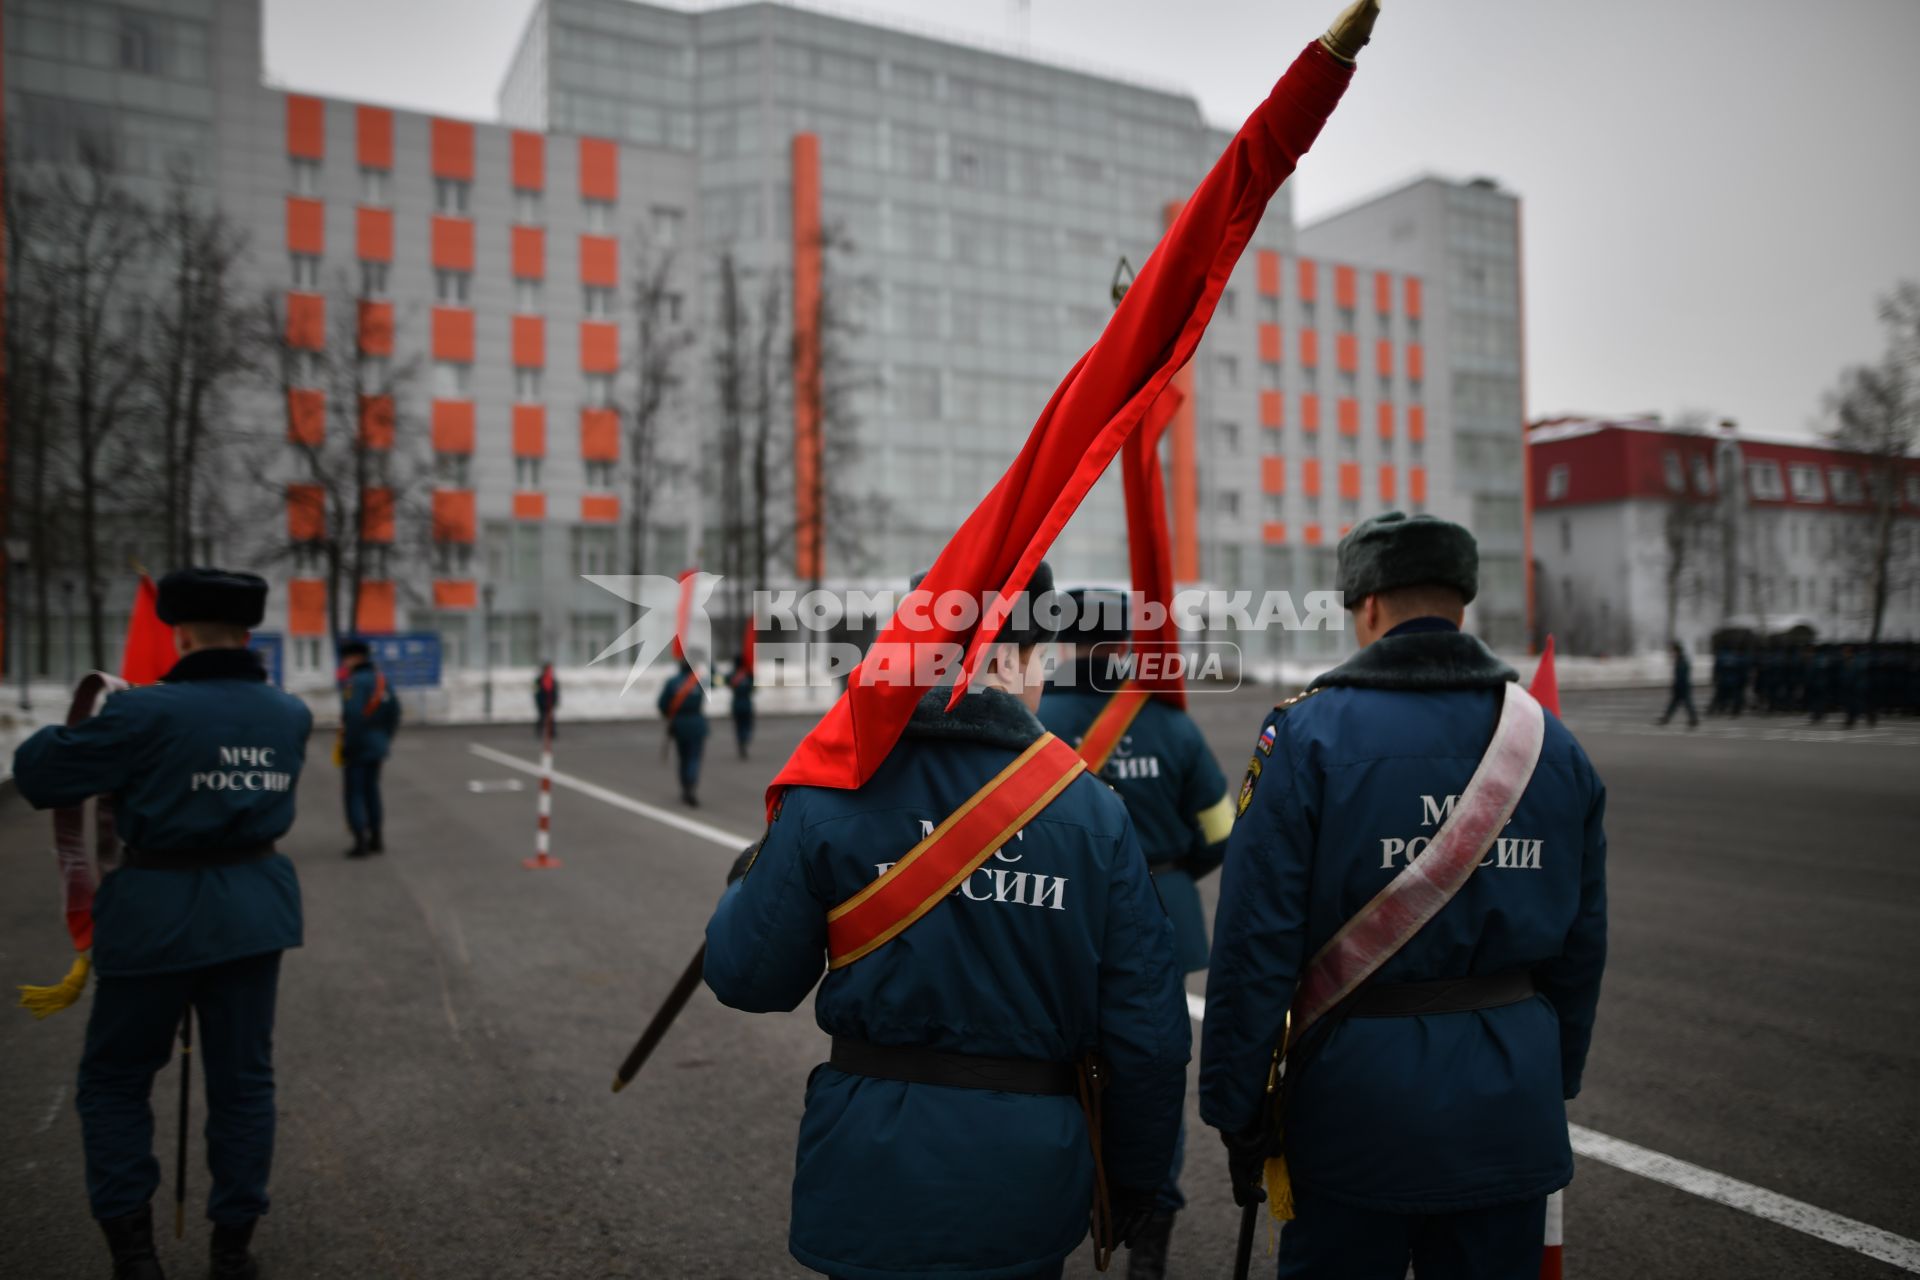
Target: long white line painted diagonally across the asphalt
(1637, 1160)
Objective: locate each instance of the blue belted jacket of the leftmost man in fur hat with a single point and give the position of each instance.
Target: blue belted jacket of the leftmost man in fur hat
(204, 761)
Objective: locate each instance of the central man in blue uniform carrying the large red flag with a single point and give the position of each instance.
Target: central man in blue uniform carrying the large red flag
(944, 1135)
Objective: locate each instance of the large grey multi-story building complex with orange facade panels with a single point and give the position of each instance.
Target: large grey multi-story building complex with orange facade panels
(963, 208)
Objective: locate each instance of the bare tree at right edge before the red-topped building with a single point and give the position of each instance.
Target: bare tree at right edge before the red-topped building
(1875, 412)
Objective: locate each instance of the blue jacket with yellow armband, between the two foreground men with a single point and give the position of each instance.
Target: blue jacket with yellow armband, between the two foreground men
(1172, 788)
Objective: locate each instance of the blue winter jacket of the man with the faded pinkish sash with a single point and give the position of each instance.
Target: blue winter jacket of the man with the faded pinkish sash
(1429, 1114)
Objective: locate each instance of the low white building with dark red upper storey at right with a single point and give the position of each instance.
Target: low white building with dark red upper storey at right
(1648, 533)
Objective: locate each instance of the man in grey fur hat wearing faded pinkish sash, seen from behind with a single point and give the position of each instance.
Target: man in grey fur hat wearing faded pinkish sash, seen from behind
(1426, 1120)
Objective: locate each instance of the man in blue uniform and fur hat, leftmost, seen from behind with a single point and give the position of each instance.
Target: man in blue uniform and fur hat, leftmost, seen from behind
(203, 772)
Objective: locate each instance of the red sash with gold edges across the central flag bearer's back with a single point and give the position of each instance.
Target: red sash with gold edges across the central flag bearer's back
(942, 863)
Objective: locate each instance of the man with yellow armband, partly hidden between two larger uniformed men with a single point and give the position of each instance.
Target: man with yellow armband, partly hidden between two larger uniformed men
(1182, 811)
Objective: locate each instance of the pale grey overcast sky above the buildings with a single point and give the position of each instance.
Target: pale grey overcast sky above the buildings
(1716, 191)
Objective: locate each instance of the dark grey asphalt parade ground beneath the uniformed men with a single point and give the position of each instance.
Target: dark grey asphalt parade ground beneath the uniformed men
(448, 1035)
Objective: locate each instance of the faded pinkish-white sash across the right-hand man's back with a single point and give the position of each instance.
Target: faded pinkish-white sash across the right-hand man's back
(1429, 882)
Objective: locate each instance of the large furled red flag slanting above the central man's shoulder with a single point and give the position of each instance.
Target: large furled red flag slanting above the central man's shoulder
(1090, 417)
